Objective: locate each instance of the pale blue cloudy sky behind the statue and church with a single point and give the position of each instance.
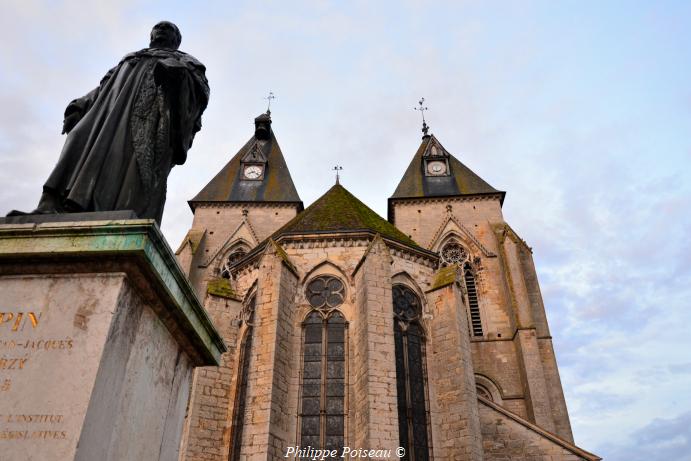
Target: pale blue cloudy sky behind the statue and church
(580, 110)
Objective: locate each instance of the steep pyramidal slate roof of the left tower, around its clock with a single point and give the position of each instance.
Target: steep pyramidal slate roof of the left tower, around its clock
(228, 185)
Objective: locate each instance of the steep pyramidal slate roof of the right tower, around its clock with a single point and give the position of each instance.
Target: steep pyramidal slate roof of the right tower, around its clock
(461, 181)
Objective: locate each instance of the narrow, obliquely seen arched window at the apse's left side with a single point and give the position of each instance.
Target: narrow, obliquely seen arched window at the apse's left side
(241, 385)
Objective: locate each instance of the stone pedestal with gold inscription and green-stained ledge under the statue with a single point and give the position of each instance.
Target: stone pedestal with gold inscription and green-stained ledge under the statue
(99, 334)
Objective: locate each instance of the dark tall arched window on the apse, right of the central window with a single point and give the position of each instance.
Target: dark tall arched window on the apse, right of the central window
(409, 345)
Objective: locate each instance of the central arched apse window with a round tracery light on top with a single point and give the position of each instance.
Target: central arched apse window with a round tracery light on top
(322, 413)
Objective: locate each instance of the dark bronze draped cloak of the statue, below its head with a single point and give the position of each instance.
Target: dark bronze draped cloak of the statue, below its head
(135, 126)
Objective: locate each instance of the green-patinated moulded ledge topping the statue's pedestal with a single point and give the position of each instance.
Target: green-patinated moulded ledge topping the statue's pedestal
(139, 238)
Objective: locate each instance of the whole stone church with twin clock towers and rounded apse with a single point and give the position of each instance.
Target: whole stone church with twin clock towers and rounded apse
(418, 337)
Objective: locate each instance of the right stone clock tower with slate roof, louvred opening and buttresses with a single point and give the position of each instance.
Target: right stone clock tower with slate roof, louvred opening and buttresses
(447, 208)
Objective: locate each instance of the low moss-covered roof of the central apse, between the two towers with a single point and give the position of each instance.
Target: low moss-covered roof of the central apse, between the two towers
(338, 210)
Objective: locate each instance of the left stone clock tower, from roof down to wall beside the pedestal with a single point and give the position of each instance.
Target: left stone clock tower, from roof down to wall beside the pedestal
(251, 197)
